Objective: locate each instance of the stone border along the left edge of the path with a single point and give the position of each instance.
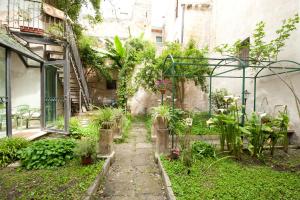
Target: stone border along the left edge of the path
(94, 186)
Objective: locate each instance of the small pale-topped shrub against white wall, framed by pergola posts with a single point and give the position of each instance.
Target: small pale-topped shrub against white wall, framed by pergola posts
(217, 99)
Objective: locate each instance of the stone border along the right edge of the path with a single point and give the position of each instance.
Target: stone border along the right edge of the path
(165, 179)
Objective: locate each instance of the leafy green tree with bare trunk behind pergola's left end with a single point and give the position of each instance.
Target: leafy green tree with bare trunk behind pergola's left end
(152, 72)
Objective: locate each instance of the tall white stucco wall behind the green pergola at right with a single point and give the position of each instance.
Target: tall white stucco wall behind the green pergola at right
(236, 19)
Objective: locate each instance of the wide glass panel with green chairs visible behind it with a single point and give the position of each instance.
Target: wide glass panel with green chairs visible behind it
(25, 98)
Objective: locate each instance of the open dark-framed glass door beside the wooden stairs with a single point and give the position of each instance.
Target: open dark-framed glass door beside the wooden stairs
(54, 98)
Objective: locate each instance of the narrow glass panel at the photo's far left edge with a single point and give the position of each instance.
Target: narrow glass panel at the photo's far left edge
(2, 93)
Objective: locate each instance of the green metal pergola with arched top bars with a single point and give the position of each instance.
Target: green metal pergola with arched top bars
(229, 64)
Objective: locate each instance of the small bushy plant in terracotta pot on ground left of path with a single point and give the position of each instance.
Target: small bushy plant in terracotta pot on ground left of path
(86, 150)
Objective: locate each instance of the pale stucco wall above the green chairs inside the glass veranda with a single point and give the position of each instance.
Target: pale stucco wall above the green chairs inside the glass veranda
(25, 84)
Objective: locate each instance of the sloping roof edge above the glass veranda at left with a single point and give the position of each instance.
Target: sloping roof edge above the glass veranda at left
(9, 42)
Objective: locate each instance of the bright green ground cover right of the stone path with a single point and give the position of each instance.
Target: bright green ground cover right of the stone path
(231, 179)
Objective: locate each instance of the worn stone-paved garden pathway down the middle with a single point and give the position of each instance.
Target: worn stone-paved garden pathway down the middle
(134, 174)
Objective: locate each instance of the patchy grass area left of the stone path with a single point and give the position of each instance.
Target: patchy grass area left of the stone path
(68, 182)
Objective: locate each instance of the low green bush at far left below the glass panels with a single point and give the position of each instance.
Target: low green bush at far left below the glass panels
(9, 148)
